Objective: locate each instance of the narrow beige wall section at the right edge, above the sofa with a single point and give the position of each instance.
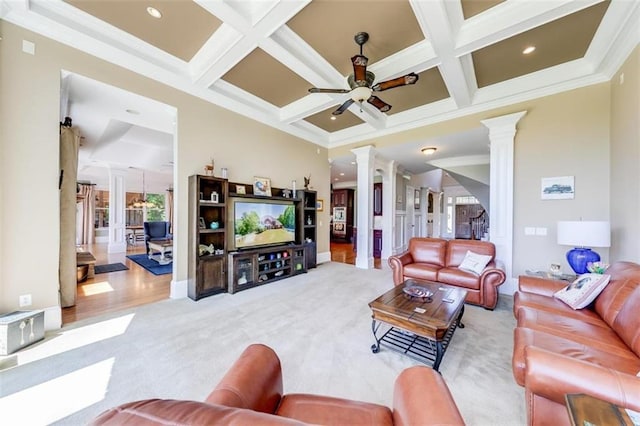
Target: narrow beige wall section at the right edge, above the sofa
(625, 160)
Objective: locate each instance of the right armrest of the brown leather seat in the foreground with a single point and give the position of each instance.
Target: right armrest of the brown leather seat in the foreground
(421, 397)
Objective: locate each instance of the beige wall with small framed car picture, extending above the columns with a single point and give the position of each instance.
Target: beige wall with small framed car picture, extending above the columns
(561, 135)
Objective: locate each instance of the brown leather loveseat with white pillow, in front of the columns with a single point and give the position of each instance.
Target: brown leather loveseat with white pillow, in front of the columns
(435, 259)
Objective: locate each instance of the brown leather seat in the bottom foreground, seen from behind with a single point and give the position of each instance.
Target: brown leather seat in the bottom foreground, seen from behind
(252, 393)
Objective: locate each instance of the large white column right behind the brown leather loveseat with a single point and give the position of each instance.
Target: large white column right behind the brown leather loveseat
(502, 131)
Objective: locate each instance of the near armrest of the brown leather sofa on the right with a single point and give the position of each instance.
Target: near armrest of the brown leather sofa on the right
(552, 376)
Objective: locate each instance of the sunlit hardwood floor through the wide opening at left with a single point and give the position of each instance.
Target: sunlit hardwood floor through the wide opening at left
(114, 291)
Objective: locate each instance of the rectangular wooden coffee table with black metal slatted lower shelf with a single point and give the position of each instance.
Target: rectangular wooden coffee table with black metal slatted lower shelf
(420, 327)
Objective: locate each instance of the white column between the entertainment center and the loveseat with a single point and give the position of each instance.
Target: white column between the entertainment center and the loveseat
(365, 157)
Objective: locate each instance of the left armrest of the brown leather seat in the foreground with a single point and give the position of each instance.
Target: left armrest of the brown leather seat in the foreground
(254, 381)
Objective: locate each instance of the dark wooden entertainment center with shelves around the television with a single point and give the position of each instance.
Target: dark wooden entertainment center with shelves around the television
(215, 266)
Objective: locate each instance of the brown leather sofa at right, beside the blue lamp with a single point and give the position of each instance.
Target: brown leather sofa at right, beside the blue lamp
(594, 351)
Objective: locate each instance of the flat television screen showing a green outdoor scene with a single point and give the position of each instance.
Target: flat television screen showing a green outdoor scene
(263, 223)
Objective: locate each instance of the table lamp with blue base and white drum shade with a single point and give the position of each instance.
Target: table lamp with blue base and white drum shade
(582, 235)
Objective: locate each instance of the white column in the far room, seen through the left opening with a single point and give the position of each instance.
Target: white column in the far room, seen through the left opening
(117, 219)
